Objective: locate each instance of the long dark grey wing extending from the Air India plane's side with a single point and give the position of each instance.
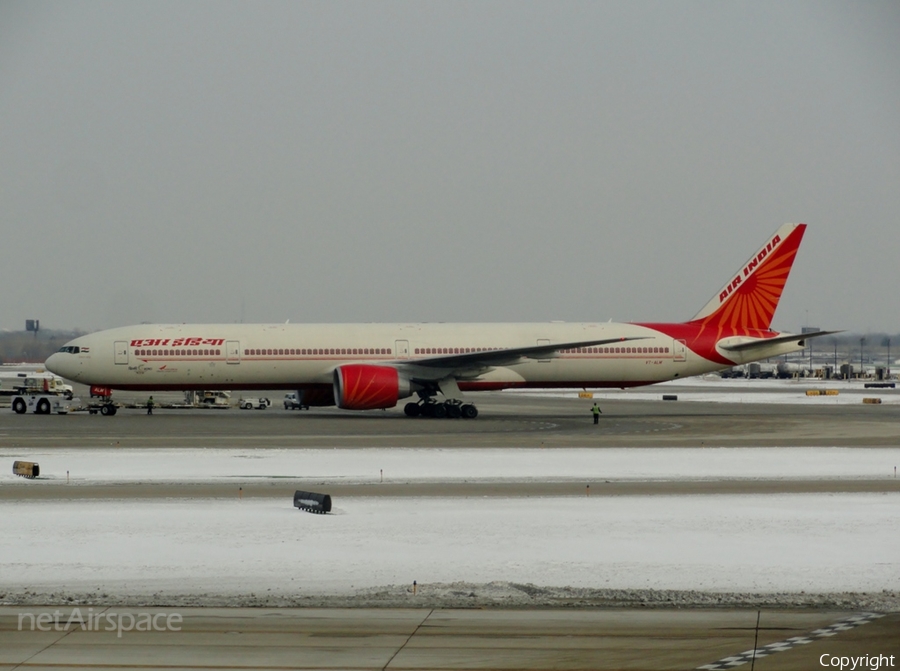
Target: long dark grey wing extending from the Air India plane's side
(459, 364)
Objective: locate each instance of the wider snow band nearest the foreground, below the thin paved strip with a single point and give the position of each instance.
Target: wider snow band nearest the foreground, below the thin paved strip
(717, 543)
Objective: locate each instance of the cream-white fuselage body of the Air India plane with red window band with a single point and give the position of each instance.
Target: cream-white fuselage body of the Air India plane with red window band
(297, 356)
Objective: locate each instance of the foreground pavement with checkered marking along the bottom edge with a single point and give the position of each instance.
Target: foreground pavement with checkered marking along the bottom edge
(436, 639)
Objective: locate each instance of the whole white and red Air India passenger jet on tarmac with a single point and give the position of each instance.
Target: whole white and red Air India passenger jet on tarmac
(368, 366)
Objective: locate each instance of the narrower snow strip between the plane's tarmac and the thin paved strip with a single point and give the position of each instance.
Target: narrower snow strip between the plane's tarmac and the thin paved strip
(357, 466)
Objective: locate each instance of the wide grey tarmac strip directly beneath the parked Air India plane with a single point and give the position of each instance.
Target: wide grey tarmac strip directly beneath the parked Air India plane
(506, 420)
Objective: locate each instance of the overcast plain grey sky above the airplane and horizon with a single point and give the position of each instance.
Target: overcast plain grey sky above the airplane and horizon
(483, 161)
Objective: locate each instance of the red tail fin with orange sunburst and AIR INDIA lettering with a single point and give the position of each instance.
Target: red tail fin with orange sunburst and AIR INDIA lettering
(749, 300)
